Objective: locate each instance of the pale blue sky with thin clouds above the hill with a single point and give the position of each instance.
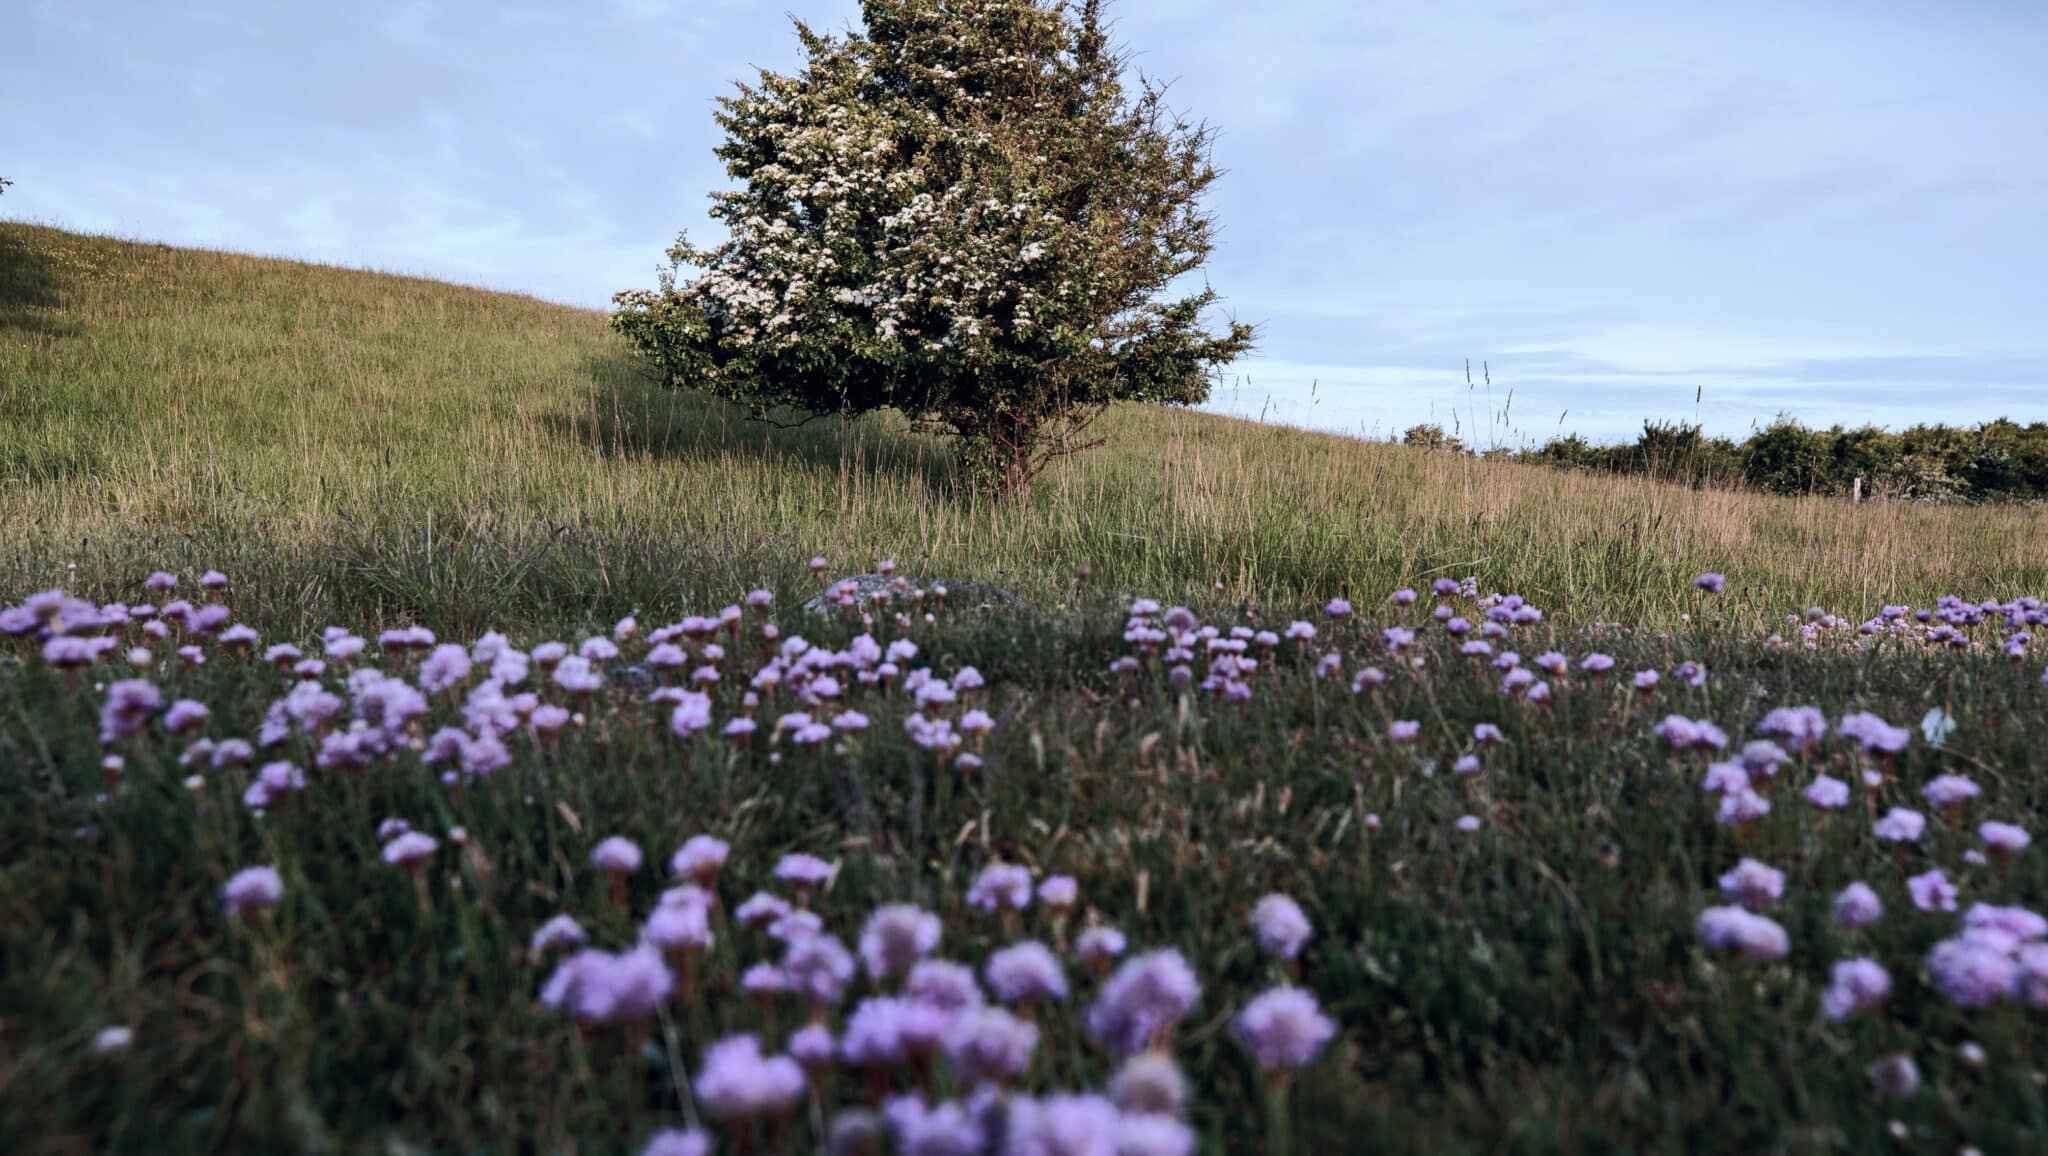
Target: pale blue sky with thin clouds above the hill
(1836, 210)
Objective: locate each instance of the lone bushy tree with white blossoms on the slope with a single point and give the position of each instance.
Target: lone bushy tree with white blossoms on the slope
(959, 212)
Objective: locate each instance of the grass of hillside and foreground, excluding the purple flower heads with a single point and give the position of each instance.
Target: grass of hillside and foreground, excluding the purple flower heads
(370, 450)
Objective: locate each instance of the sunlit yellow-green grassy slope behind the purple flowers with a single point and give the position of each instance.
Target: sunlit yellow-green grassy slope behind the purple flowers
(398, 448)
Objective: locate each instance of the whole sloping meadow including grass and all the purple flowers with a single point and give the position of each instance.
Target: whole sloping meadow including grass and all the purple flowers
(1322, 796)
